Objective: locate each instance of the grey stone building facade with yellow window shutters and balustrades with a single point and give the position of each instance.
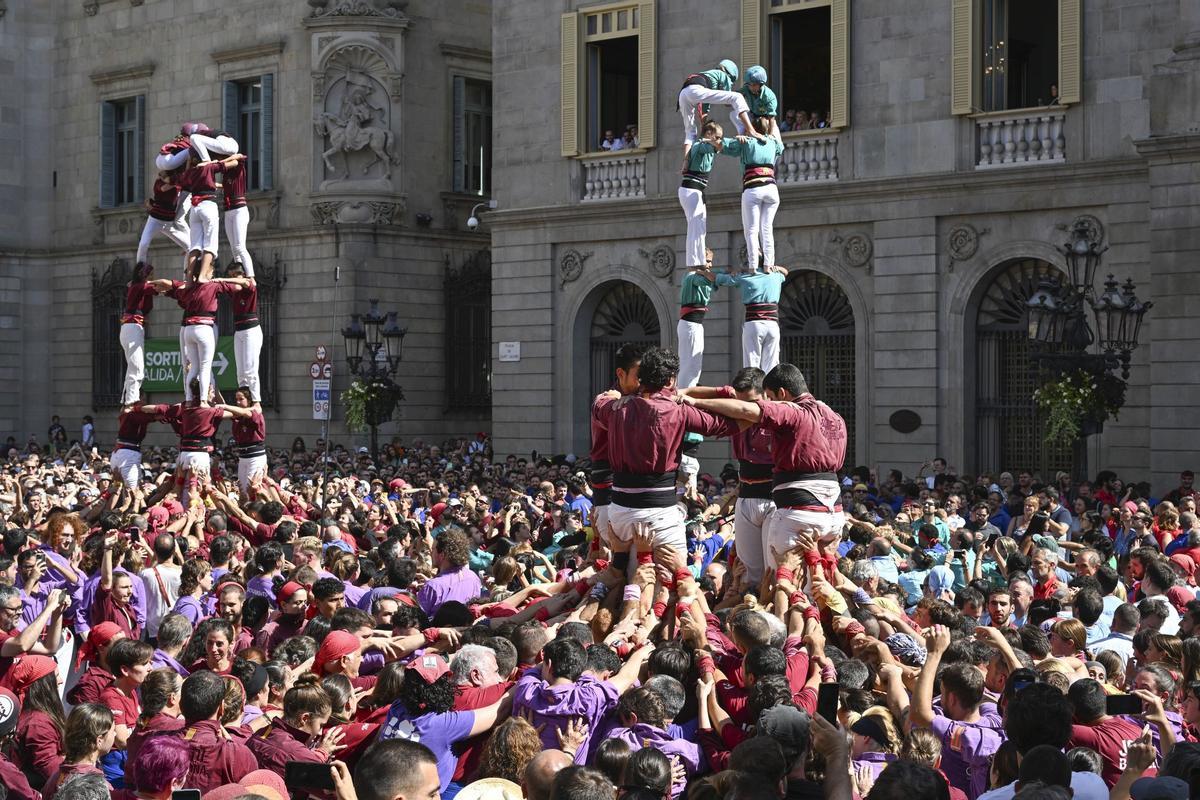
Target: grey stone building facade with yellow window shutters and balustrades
(917, 221)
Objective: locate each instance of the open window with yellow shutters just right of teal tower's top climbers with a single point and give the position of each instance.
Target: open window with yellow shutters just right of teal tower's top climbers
(809, 61)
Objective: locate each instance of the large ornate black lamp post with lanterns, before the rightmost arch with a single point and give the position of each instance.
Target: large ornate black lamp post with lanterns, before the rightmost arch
(1061, 336)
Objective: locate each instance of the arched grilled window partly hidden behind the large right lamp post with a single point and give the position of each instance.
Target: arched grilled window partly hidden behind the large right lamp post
(1009, 432)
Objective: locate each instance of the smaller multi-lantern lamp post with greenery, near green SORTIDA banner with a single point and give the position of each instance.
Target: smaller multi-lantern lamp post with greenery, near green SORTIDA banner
(375, 344)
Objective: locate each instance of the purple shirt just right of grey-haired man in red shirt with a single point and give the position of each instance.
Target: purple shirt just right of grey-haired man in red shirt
(557, 706)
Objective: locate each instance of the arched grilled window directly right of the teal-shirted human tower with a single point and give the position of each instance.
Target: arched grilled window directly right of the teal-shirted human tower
(818, 335)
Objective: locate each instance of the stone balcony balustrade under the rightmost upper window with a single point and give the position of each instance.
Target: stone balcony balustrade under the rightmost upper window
(1021, 139)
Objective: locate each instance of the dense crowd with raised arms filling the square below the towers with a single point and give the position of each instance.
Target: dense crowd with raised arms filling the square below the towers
(442, 623)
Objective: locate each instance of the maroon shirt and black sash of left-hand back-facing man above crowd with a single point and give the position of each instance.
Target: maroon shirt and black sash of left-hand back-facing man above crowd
(645, 438)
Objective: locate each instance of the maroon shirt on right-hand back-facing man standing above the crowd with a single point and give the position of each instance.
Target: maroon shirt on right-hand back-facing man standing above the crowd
(809, 437)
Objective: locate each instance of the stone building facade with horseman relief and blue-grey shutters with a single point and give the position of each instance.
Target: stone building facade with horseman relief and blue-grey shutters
(353, 112)
